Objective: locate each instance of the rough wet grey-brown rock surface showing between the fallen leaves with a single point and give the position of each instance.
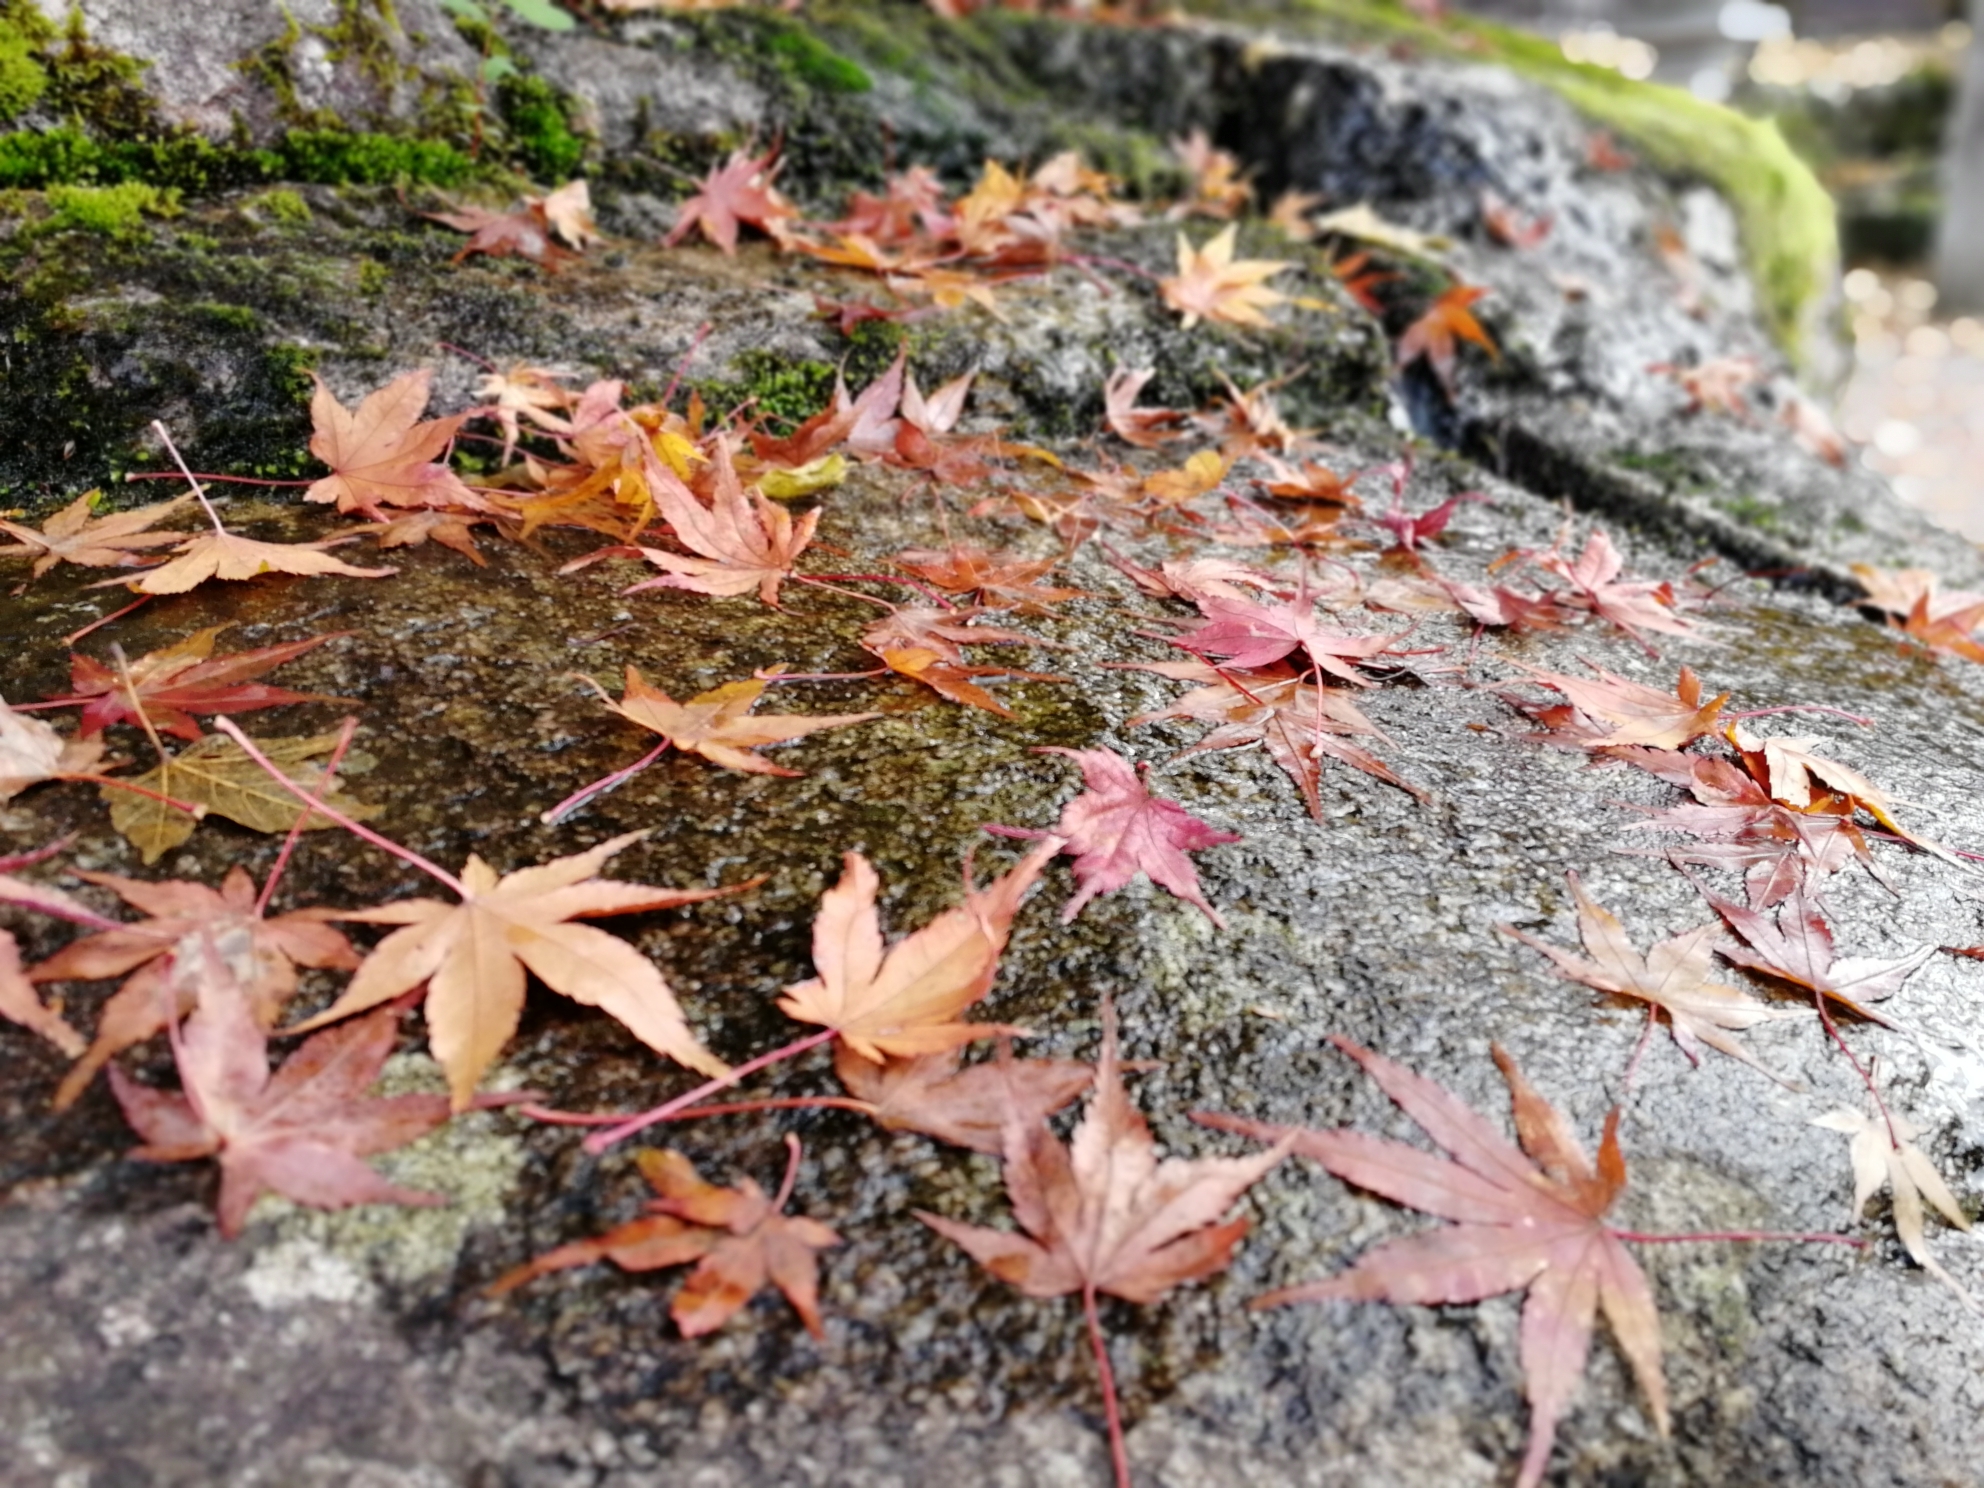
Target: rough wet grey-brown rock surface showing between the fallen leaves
(356, 1348)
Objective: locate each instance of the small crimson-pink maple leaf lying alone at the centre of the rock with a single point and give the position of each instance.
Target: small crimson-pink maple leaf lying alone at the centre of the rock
(1116, 830)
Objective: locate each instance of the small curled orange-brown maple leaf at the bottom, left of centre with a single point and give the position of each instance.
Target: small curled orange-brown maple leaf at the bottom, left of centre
(737, 1237)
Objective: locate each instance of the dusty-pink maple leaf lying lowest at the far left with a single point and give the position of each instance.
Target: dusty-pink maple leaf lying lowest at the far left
(303, 1132)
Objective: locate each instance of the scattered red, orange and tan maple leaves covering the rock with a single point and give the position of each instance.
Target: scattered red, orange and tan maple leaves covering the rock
(1302, 592)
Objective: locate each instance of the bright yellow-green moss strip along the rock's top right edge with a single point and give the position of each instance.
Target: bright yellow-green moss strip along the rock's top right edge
(1787, 217)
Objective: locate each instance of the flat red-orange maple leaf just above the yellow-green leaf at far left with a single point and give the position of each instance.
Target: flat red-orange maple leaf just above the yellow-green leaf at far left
(182, 680)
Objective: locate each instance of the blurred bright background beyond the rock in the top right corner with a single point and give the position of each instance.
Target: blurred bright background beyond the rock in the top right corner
(1874, 94)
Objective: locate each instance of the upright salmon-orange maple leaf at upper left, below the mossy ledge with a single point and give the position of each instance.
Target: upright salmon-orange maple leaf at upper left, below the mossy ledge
(382, 453)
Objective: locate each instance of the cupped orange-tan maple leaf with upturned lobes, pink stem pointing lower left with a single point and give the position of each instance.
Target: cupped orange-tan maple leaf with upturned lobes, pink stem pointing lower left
(910, 999)
